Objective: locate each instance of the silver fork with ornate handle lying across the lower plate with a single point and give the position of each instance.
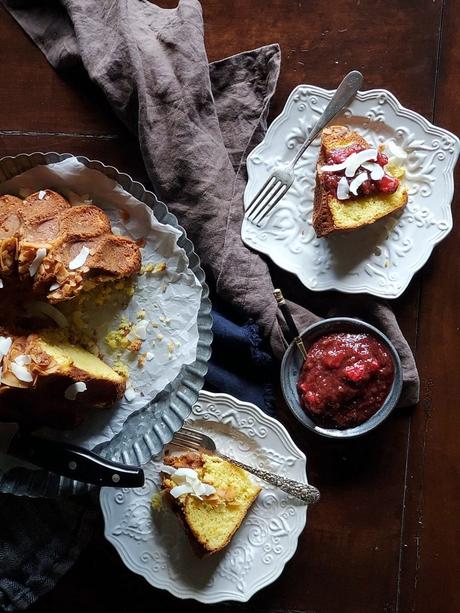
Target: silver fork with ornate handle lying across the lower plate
(186, 438)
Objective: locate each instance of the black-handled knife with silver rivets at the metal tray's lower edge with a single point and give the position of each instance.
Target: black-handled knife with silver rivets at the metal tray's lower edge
(67, 460)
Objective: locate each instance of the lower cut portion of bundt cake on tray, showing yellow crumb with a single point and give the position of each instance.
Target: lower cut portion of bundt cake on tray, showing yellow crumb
(48, 381)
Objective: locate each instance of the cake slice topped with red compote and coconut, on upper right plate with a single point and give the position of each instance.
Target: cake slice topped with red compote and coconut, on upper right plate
(355, 185)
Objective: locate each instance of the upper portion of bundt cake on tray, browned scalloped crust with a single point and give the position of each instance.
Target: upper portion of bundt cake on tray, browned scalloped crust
(61, 249)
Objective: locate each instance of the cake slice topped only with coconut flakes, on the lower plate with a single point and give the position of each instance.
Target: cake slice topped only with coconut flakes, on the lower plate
(210, 495)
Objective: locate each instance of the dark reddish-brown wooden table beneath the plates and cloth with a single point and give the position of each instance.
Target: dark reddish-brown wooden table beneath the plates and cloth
(386, 534)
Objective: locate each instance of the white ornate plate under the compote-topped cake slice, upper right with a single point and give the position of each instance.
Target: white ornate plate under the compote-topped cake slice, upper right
(379, 259)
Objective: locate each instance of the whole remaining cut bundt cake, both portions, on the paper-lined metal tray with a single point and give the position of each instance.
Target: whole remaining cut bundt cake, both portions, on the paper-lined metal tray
(53, 251)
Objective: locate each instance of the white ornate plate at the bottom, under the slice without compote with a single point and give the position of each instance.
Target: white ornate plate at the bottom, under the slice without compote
(153, 544)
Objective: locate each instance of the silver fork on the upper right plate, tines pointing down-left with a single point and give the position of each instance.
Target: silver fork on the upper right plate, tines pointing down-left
(283, 176)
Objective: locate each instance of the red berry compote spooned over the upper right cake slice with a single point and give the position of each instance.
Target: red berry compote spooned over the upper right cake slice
(385, 185)
